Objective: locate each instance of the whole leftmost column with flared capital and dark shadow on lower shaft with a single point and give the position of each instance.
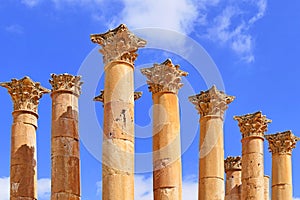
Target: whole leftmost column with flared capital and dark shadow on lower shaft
(25, 95)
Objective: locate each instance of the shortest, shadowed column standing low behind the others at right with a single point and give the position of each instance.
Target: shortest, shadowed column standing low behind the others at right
(233, 172)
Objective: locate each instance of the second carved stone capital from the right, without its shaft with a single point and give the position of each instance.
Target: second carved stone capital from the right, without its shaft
(255, 124)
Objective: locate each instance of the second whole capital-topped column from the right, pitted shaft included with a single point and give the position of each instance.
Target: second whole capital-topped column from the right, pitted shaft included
(252, 126)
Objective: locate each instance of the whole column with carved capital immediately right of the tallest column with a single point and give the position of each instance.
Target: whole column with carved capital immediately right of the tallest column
(164, 83)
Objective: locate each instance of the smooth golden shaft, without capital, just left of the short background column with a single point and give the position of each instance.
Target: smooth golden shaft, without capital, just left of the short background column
(211, 165)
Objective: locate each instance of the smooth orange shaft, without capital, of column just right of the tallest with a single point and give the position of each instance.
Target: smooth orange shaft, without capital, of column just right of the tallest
(167, 178)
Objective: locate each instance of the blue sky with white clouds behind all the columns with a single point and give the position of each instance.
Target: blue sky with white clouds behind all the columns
(249, 47)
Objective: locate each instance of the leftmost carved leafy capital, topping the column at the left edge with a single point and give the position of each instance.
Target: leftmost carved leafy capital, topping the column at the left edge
(25, 93)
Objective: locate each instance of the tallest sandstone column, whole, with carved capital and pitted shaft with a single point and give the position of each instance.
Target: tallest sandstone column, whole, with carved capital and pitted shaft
(119, 48)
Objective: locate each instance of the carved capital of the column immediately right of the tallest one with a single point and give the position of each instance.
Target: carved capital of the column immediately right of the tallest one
(164, 77)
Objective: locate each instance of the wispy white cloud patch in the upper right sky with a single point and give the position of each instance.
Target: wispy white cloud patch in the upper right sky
(231, 27)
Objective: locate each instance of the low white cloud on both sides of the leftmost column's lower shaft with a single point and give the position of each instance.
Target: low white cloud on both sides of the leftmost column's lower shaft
(44, 188)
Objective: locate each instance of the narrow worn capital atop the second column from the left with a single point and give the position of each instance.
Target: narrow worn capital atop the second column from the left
(66, 83)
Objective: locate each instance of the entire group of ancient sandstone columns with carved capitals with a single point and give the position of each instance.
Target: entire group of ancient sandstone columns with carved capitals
(245, 175)
